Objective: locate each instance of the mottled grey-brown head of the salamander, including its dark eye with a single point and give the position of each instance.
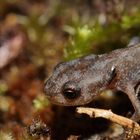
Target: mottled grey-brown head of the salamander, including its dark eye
(77, 82)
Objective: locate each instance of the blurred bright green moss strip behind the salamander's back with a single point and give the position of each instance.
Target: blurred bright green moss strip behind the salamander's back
(83, 38)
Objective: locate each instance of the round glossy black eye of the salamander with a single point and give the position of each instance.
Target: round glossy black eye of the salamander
(71, 91)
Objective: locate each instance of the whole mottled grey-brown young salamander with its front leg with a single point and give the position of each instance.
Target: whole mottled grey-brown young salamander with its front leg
(78, 81)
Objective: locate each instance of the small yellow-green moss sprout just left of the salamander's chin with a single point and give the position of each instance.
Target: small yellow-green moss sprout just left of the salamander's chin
(40, 102)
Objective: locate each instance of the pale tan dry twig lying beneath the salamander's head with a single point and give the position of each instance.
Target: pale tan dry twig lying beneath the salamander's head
(107, 114)
